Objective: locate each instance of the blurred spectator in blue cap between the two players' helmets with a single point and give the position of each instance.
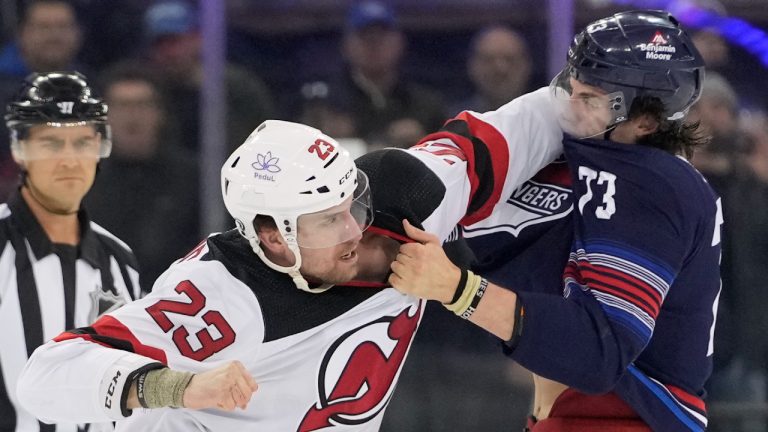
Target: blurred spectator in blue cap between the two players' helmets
(389, 110)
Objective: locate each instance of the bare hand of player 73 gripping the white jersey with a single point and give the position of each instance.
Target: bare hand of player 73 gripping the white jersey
(423, 269)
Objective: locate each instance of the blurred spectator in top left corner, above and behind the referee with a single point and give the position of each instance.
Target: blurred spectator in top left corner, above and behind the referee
(48, 39)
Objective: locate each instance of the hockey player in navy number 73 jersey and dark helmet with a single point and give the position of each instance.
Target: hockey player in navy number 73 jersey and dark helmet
(621, 339)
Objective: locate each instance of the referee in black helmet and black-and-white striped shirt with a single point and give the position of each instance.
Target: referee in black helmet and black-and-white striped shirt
(58, 270)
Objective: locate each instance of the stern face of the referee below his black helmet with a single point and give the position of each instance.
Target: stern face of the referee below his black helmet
(60, 164)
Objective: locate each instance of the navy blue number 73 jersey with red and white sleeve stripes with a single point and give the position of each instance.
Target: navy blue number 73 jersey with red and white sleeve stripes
(640, 233)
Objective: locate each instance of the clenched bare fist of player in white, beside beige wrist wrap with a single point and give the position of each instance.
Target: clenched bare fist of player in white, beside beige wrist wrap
(227, 387)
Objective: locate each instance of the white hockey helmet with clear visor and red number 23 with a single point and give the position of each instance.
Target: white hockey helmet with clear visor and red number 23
(293, 173)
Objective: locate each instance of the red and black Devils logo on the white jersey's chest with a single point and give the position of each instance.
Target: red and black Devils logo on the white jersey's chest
(358, 372)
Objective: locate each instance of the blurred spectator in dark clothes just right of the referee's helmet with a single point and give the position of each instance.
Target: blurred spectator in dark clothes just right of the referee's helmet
(148, 192)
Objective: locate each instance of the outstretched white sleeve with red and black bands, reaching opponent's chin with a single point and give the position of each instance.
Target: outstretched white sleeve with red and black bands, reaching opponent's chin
(498, 151)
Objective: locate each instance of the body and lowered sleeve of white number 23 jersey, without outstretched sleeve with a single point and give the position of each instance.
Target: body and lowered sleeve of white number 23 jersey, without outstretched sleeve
(320, 360)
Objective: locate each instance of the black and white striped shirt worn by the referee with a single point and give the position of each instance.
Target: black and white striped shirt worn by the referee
(47, 288)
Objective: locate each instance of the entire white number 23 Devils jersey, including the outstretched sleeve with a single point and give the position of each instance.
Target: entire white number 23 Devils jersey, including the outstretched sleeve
(327, 361)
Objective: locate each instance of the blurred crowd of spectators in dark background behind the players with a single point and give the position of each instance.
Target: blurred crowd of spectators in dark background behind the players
(147, 191)
